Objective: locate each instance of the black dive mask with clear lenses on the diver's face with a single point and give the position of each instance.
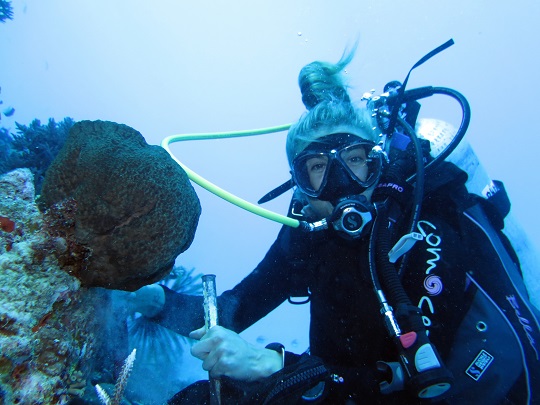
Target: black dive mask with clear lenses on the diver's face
(329, 173)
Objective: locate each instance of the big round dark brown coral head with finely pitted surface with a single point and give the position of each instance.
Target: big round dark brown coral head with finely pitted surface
(136, 209)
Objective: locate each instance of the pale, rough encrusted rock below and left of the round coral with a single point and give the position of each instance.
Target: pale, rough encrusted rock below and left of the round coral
(49, 330)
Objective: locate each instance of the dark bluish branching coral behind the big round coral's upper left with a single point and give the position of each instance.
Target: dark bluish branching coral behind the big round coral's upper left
(34, 146)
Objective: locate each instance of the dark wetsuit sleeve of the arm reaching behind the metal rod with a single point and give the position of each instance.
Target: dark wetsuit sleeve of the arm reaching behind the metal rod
(263, 290)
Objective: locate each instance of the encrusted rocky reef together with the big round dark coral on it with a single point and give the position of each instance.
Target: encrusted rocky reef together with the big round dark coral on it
(114, 214)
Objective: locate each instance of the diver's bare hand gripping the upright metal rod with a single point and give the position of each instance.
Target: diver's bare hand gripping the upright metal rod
(225, 353)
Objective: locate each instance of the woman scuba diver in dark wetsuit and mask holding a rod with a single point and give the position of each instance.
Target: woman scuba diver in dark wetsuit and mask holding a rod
(415, 294)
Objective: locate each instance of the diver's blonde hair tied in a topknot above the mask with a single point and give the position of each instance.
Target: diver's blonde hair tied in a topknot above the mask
(324, 93)
